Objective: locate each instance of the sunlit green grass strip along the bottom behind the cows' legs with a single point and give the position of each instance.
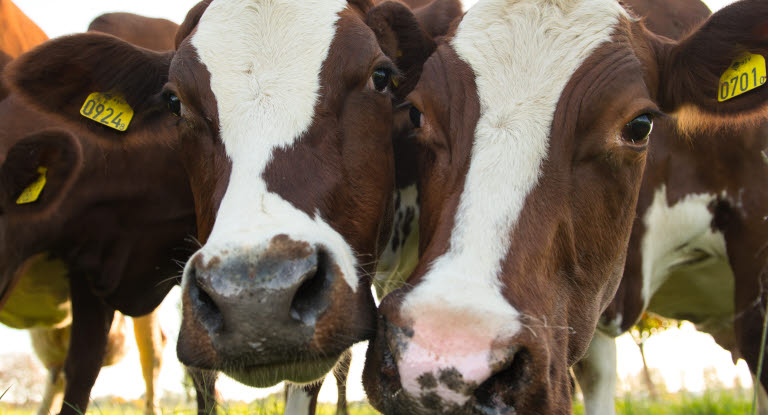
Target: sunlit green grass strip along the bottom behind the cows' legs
(710, 403)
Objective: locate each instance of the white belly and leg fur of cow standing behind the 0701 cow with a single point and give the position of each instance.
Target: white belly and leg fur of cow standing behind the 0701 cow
(685, 272)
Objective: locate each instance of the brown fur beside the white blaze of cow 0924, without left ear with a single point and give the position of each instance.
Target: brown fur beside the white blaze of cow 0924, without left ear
(327, 150)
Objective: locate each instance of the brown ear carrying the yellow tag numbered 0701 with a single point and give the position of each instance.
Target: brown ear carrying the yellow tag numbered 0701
(732, 44)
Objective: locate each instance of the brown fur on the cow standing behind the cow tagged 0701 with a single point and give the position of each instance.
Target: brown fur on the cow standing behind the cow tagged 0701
(724, 155)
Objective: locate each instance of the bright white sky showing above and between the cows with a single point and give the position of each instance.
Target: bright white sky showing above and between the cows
(680, 355)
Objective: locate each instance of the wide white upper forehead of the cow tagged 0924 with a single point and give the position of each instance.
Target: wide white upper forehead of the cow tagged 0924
(265, 58)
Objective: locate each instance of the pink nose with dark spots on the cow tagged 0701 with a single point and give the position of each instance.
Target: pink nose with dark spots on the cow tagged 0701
(449, 369)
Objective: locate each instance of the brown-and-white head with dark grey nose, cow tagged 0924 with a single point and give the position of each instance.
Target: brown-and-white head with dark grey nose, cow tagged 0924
(284, 111)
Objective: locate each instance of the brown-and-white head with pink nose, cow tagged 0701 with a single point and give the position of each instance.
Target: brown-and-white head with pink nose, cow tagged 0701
(534, 118)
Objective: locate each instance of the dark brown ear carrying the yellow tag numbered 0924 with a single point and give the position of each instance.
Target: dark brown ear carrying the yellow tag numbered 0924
(58, 76)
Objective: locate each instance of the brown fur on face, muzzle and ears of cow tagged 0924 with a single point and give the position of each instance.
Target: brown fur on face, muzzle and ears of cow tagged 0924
(351, 188)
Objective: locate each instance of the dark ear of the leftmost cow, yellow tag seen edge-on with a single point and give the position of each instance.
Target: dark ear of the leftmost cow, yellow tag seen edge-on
(38, 172)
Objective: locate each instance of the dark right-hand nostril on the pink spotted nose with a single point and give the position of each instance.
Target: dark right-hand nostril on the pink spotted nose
(499, 390)
